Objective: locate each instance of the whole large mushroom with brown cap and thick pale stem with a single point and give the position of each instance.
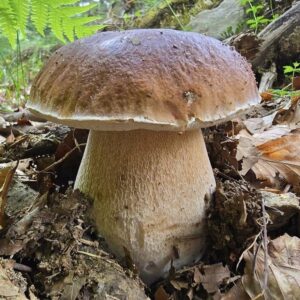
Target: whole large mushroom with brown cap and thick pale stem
(145, 95)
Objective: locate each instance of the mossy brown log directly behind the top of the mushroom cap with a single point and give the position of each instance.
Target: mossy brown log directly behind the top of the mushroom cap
(161, 16)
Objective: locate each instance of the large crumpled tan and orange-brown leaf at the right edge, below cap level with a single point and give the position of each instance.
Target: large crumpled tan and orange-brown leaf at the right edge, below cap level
(272, 155)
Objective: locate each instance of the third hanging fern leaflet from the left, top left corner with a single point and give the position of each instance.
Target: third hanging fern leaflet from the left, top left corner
(39, 15)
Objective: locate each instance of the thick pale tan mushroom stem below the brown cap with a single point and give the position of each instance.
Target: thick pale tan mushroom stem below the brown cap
(149, 193)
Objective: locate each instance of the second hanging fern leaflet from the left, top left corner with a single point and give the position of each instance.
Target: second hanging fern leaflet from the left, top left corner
(21, 12)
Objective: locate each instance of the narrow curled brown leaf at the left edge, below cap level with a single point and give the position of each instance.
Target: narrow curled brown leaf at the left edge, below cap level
(6, 175)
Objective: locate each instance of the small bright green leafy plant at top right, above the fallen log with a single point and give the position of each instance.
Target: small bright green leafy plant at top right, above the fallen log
(256, 20)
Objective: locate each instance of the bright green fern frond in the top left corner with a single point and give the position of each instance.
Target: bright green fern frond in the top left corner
(63, 17)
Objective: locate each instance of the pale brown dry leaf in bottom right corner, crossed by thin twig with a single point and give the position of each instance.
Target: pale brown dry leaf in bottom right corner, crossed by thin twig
(283, 270)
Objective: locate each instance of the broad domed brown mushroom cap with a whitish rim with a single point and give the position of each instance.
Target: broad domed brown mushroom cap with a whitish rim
(156, 79)
